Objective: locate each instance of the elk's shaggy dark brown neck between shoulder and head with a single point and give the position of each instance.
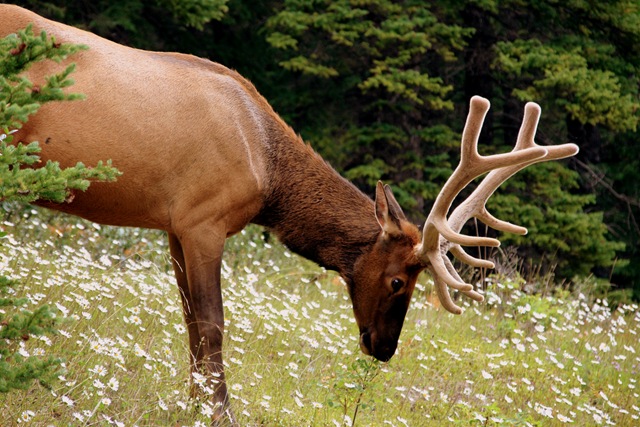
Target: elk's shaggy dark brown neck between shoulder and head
(313, 210)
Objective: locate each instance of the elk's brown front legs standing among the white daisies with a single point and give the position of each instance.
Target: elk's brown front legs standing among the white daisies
(201, 250)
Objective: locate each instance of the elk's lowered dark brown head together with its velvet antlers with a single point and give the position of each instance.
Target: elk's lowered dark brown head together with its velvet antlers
(380, 311)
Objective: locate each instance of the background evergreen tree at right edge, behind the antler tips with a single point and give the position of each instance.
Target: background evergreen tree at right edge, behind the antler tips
(577, 59)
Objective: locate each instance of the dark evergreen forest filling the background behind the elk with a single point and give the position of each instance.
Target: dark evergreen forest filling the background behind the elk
(381, 89)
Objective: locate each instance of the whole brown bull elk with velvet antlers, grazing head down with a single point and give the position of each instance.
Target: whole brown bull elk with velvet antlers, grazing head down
(203, 154)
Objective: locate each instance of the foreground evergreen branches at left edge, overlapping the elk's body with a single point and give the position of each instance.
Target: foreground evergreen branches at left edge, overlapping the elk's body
(19, 98)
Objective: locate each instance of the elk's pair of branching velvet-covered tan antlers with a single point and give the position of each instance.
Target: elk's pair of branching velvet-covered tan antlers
(441, 235)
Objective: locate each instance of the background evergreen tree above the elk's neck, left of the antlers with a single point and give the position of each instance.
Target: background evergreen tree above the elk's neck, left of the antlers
(384, 62)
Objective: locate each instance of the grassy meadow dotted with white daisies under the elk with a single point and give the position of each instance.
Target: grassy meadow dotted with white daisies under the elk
(291, 345)
